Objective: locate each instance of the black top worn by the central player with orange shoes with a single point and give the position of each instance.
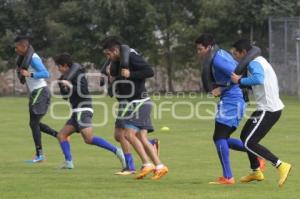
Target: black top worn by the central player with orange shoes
(133, 87)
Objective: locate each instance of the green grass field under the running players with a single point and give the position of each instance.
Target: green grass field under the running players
(187, 149)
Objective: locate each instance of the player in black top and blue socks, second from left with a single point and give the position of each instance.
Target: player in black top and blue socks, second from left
(76, 91)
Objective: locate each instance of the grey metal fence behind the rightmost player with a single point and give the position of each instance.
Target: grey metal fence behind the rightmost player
(283, 54)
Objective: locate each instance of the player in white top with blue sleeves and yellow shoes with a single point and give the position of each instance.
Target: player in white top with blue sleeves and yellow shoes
(263, 80)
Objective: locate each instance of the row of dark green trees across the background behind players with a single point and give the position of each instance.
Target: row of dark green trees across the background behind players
(163, 31)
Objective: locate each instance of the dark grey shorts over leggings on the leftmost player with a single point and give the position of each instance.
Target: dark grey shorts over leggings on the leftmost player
(39, 101)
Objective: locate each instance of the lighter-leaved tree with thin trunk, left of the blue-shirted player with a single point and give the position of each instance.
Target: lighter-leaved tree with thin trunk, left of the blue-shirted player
(175, 33)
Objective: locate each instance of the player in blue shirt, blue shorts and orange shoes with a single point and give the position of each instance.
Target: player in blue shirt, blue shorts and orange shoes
(230, 107)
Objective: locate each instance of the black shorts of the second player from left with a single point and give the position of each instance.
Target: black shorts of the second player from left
(81, 120)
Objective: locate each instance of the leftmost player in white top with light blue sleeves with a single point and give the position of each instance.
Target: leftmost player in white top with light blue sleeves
(39, 99)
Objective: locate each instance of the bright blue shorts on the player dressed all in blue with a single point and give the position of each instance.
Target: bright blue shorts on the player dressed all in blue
(230, 112)
